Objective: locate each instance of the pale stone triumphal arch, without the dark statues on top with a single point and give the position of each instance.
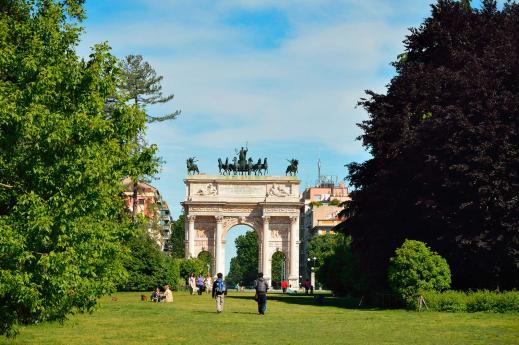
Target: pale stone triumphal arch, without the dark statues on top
(268, 204)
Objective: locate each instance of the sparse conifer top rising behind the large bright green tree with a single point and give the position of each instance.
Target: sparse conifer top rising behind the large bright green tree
(139, 82)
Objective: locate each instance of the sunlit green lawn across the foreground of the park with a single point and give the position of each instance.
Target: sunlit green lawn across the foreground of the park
(289, 320)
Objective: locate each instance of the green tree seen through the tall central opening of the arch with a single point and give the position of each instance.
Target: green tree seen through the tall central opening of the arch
(244, 266)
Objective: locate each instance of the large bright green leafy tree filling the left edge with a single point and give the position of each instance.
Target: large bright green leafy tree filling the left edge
(63, 152)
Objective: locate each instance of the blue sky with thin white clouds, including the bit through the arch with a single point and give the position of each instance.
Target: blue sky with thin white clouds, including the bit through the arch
(282, 76)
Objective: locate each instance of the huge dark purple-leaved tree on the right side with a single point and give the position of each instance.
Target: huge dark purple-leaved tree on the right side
(444, 141)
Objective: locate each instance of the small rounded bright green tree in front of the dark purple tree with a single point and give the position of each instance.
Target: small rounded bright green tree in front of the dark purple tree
(415, 268)
